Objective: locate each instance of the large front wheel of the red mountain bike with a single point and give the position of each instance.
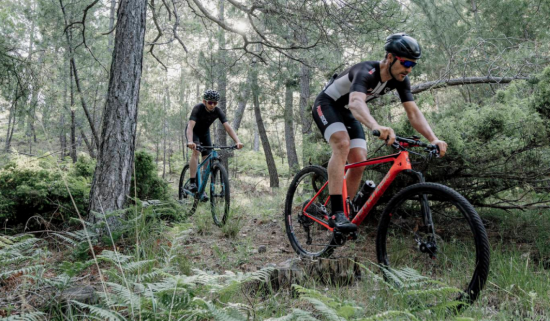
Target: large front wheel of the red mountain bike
(455, 251)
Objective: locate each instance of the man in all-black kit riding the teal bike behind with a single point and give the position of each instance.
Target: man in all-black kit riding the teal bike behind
(198, 130)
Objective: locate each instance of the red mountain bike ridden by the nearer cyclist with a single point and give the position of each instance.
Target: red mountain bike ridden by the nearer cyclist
(425, 226)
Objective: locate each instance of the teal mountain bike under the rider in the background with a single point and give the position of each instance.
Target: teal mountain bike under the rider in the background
(219, 197)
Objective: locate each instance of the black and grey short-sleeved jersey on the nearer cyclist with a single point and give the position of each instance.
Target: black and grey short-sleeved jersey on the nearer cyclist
(365, 77)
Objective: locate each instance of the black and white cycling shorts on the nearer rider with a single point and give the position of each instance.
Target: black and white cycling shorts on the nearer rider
(331, 118)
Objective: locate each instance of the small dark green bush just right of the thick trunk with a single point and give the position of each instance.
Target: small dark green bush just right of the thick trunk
(148, 184)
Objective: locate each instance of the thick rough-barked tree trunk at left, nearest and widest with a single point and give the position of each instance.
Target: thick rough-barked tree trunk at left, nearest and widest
(113, 173)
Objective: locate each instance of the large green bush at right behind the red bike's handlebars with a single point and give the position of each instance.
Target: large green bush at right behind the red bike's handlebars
(498, 149)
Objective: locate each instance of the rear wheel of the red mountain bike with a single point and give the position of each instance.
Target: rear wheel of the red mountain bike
(307, 237)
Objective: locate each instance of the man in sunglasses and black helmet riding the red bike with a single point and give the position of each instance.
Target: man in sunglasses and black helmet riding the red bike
(341, 108)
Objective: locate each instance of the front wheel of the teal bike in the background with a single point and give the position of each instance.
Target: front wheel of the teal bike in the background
(219, 194)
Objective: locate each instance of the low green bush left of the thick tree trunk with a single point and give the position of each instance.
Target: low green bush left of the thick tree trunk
(29, 187)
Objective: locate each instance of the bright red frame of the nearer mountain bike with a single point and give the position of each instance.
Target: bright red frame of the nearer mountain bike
(401, 162)
